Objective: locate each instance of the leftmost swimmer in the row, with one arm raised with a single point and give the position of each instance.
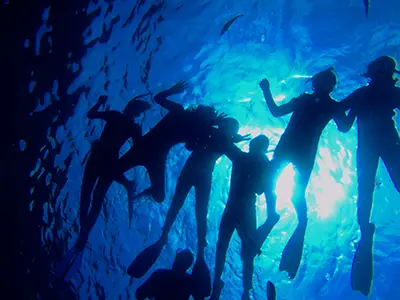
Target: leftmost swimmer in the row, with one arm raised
(98, 175)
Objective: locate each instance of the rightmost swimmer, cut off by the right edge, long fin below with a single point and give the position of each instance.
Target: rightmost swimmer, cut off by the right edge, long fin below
(373, 106)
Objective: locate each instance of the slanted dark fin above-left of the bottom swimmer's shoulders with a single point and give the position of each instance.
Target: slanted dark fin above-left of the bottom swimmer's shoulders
(145, 260)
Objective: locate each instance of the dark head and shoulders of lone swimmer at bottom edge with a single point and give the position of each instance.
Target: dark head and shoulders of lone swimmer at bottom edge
(173, 284)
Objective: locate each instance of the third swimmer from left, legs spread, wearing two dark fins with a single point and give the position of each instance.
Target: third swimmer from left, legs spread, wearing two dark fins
(196, 173)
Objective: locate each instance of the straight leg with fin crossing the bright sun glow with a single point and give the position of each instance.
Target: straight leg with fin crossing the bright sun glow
(291, 256)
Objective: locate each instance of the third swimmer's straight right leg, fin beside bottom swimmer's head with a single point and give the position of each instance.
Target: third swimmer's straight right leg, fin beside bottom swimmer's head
(201, 272)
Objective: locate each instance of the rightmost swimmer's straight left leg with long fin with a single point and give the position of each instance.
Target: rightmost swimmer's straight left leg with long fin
(362, 267)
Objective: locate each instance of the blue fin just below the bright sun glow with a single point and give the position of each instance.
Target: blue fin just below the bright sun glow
(291, 256)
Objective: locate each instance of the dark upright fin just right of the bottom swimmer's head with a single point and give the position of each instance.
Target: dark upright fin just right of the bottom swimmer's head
(202, 279)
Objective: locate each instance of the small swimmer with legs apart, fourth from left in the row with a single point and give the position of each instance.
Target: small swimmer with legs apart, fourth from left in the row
(248, 179)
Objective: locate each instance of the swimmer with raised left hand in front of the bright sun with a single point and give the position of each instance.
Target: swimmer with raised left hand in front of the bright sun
(299, 144)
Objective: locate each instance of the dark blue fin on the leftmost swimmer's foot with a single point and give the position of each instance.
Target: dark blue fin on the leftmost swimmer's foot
(69, 265)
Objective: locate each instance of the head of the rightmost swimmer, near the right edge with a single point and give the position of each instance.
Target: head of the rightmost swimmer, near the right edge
(383, 67)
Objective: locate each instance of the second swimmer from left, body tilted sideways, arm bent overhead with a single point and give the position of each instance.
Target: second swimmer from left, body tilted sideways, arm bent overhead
(180, 125)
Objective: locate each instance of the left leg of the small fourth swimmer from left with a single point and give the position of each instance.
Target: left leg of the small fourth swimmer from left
(226, 229)
